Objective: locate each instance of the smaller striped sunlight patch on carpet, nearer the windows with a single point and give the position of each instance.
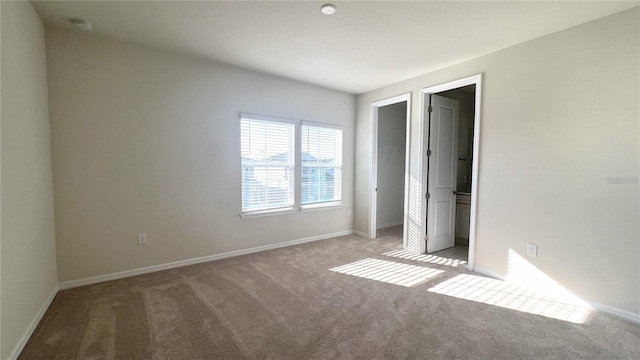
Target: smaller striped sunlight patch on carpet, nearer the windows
(388, 271)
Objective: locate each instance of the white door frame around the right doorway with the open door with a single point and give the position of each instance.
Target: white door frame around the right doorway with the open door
(424, 136)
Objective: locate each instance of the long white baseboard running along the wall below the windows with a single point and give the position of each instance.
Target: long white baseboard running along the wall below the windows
(145, 270)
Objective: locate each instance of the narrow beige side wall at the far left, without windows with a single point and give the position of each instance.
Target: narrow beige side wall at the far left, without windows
(28, 260)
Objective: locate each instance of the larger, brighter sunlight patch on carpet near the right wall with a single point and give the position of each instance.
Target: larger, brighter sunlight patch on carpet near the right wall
(514, 297)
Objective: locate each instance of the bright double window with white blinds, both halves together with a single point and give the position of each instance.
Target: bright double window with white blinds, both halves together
(289, 165)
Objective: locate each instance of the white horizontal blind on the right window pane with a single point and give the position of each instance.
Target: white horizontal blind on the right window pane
(321, 164)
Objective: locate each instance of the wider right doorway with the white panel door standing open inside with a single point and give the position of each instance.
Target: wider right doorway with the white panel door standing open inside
(451, 112)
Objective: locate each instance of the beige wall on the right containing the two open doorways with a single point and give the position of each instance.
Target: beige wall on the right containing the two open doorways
(559, 115)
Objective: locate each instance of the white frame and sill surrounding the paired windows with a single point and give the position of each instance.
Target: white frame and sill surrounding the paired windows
(297, 169)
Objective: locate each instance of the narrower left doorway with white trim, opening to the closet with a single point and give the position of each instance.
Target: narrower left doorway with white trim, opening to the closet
(390, 131)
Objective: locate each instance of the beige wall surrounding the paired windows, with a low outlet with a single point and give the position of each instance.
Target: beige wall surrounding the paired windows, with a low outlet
(147, 141)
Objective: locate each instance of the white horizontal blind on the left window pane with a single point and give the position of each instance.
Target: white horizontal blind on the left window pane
(267, 148)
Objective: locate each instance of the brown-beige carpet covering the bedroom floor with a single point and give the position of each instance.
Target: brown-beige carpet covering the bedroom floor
(342, 298)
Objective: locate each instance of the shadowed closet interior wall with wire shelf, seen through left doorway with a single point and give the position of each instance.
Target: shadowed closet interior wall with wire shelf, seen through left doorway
(392, 123)
